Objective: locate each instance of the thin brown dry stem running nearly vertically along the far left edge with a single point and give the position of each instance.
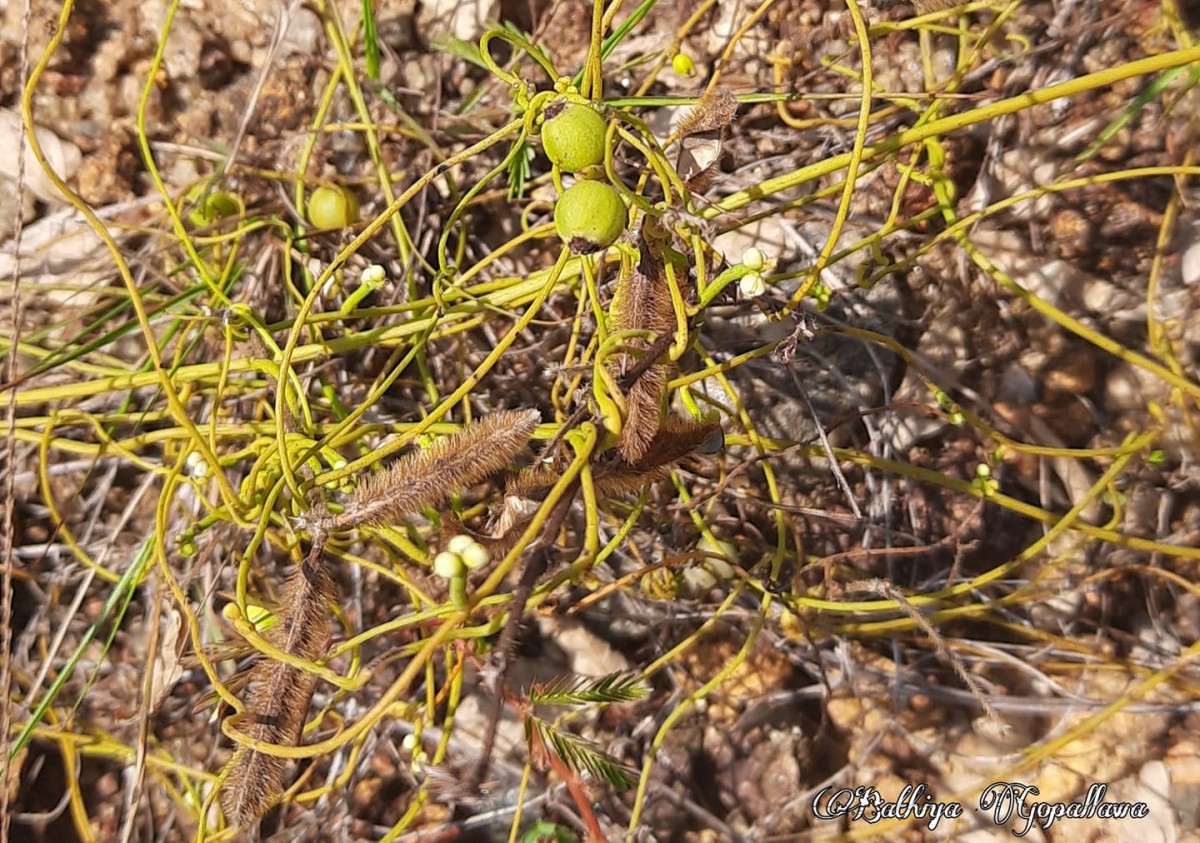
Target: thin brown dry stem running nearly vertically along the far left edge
(9, 527)
